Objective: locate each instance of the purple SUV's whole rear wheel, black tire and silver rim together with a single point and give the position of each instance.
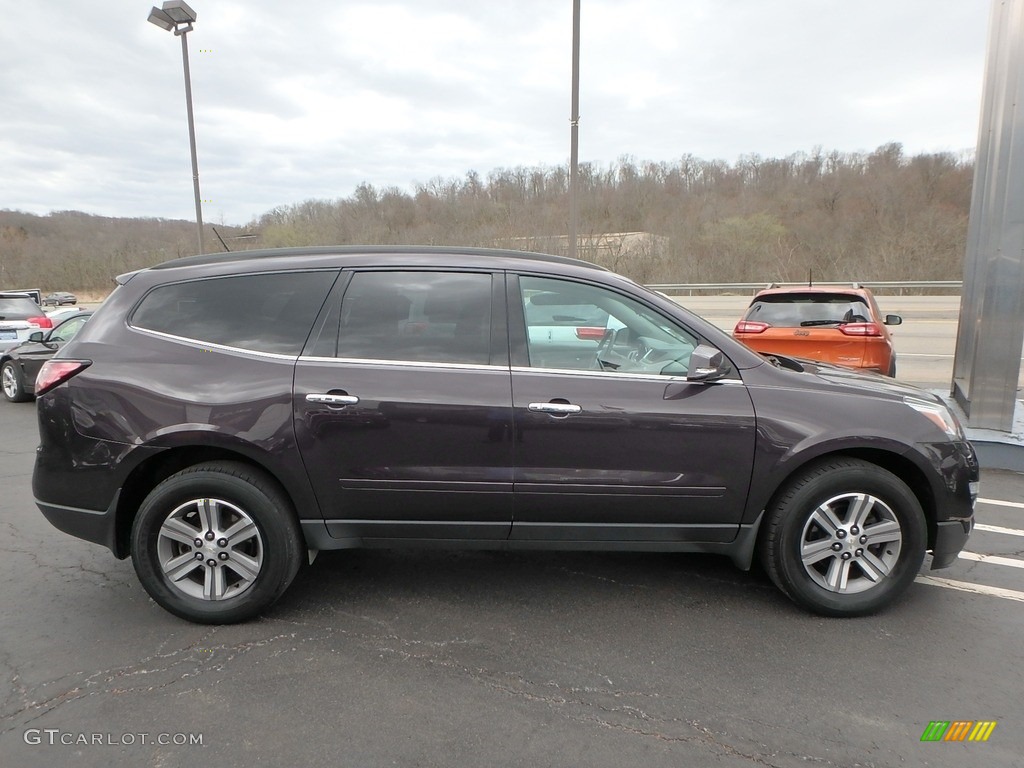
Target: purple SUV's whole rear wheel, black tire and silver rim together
(247, 570)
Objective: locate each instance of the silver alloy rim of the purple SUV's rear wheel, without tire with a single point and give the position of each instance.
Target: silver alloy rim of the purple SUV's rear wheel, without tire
(210, 549)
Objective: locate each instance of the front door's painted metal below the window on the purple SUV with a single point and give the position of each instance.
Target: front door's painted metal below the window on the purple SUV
(644, 459)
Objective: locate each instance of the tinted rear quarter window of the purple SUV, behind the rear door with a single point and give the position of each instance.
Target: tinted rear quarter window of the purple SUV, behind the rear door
(262, 313)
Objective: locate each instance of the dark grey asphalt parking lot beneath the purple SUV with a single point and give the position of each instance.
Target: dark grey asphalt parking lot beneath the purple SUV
(438, 659)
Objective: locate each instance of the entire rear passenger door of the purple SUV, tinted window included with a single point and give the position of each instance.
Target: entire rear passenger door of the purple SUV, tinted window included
(411, 449)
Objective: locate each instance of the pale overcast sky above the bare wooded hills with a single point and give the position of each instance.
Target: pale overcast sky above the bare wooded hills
(308, 100)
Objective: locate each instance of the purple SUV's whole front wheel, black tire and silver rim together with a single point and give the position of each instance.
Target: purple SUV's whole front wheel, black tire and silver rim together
(844, 517)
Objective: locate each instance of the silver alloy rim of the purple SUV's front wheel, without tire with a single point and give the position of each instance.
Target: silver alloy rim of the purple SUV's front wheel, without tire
(851, 543)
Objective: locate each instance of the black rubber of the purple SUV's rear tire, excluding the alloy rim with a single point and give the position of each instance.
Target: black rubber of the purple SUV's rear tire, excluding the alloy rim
(282, 550)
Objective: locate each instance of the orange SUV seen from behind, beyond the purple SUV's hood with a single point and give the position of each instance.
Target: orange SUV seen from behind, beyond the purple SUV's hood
(831, 324)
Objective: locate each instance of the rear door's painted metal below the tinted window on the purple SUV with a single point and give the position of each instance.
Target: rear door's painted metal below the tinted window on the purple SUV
(422, 454)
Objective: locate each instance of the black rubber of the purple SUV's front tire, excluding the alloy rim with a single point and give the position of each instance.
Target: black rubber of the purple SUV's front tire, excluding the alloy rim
(855, 478)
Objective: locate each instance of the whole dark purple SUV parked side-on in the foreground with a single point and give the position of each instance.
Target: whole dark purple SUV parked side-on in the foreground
(220, 416)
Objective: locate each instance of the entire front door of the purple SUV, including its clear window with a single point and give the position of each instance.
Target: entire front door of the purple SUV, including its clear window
(618, 446)
